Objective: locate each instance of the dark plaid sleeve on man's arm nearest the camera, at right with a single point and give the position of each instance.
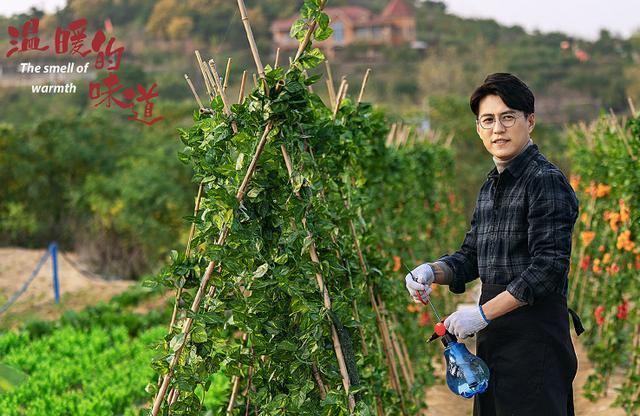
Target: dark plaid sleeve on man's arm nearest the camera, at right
(553, 210)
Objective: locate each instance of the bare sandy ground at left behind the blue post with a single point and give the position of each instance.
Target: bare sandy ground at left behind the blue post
(76, 290)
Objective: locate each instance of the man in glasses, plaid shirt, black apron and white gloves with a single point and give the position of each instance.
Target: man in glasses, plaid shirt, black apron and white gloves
(519, 245)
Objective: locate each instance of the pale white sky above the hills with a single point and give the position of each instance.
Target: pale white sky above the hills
(581, 18)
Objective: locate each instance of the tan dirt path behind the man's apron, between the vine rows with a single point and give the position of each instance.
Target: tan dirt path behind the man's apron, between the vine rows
(444, 403)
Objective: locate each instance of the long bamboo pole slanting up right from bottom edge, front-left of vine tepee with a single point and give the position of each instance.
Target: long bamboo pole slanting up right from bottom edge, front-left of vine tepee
(207, 275)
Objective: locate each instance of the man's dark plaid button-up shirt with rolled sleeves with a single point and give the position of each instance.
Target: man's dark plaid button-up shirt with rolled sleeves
(521, 230)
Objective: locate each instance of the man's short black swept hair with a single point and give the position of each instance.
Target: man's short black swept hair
(515, 93)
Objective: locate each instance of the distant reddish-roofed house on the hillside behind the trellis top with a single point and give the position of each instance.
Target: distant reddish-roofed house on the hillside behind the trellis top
(353, 25)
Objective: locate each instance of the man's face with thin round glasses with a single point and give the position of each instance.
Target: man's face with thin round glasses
(503, 142)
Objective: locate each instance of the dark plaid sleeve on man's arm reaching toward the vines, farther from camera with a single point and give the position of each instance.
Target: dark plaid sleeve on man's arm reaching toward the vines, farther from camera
(464, 262)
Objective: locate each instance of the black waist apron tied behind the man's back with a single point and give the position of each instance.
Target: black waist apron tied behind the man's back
(531, 359)
